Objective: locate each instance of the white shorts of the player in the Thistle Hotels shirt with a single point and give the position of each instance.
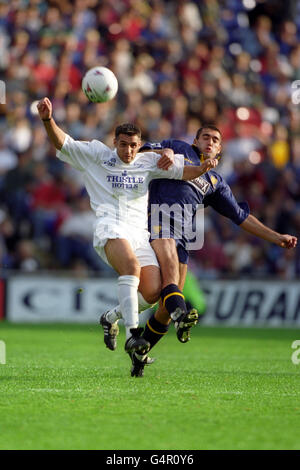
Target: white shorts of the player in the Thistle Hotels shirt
(139, 241)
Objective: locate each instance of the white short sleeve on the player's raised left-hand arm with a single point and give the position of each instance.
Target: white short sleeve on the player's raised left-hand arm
(80, 154)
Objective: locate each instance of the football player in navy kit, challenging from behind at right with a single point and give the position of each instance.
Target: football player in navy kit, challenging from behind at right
(210, 190)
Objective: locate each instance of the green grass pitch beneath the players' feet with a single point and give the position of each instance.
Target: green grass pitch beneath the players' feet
(227, 388)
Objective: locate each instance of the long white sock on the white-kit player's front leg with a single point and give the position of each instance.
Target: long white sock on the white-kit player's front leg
(128, 298)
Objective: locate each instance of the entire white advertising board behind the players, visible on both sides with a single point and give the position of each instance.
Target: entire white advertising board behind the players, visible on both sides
(240, 303)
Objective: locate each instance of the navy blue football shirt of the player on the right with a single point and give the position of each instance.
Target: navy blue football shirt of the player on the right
(209, 189)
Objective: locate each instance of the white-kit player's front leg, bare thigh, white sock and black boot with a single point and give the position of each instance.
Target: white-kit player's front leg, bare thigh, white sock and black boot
(121, 257)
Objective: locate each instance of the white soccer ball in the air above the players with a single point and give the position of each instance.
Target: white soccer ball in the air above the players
(100, 85)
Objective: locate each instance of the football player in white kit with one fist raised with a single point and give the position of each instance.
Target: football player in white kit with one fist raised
(117, 183)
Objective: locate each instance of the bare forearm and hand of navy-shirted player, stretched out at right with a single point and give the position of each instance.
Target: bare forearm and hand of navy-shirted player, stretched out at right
(255, 227)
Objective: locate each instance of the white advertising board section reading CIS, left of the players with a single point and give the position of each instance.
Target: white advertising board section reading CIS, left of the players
(38, 299)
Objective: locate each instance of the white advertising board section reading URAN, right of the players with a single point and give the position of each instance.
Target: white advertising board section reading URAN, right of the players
(252, 303)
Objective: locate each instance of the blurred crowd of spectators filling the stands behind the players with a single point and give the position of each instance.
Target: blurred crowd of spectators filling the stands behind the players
(234, 63)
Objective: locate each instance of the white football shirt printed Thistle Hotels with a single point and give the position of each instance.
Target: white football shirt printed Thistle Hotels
(118, 191)
